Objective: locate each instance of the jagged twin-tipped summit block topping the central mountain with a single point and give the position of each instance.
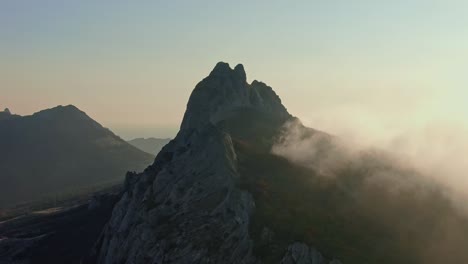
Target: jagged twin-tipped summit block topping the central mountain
(226, 90)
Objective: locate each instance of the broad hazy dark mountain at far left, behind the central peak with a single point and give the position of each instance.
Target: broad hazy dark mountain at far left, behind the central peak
(58, 150)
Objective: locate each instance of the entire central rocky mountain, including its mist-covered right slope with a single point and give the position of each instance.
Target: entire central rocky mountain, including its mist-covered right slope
(219, 193)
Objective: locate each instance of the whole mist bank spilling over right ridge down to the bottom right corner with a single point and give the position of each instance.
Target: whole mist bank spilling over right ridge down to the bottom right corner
(412, 171)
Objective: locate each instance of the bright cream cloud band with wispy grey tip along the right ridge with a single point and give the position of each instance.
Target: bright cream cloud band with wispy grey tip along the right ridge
(435, 149)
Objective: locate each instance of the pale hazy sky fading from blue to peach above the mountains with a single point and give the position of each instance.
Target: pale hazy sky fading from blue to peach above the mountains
(131, 65)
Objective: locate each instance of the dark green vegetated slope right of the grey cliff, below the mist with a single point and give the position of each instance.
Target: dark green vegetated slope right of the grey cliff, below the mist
(343, 217)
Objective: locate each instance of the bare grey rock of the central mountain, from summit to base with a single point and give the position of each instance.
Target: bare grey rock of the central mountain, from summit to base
(187, 207)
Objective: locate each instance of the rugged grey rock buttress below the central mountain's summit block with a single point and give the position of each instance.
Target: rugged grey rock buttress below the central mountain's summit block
(183, 209)
